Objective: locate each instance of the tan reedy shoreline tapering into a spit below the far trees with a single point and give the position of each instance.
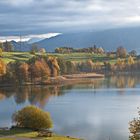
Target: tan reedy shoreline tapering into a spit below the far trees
(62, 80)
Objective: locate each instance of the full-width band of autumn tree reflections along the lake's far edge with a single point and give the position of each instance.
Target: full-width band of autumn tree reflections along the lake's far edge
(40, 95)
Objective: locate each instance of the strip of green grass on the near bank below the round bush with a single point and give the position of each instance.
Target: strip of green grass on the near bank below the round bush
(25, 133)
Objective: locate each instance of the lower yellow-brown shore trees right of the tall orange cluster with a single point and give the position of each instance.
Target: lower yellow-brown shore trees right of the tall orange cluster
(121, 65)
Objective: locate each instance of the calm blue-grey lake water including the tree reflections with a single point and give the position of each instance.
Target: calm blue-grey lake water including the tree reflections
(94, 111)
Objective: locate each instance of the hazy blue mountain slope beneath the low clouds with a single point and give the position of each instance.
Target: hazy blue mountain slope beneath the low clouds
(108, 39)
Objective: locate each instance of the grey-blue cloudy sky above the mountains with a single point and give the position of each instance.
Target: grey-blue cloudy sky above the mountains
(43, 16)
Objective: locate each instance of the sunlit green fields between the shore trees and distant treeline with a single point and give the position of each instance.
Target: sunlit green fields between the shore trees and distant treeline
(24, 56)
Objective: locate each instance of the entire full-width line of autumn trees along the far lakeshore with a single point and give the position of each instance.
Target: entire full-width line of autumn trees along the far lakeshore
(40, 68)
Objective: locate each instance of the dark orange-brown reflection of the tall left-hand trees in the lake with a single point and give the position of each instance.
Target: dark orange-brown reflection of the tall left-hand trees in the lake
(34, 94)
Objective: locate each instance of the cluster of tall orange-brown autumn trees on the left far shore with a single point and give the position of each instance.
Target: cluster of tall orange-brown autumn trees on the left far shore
(36, 69)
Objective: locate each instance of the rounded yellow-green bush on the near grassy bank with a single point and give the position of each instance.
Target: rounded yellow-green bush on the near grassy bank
(33, 118)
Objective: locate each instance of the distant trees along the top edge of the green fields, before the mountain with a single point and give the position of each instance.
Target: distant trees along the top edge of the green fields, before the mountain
(120, 51)
